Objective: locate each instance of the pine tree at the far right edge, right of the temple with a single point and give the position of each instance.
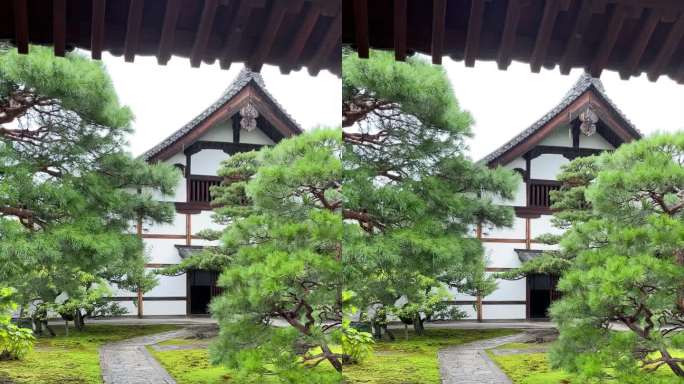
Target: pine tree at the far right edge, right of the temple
(627, 238)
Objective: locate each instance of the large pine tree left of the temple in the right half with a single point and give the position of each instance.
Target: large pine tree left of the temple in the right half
(410, 187)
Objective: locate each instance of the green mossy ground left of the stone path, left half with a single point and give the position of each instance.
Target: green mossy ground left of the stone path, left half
(72, 359)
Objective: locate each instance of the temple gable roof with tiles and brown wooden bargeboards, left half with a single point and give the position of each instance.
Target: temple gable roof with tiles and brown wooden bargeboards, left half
(247, 85)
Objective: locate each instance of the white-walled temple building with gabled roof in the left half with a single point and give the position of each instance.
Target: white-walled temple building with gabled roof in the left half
(245, 117)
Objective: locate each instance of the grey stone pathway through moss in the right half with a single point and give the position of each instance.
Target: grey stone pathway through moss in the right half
(469, 363)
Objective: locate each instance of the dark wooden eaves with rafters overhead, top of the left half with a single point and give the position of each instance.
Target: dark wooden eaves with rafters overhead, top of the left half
(286, 33)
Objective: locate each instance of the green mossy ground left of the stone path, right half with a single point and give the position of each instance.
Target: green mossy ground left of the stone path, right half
(413, 361)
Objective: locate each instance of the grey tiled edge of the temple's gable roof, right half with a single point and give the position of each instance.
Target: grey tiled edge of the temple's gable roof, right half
(584, 83)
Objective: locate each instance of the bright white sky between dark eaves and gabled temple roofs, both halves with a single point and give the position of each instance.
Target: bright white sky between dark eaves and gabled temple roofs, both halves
(503, 103)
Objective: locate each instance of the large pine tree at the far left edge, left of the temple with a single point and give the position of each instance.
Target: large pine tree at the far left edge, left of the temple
(68, 188)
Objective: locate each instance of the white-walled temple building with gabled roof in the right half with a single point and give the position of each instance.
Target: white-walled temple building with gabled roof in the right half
(585, 122)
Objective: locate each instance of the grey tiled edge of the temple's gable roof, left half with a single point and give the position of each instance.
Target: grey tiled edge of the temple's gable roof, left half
(244, 77)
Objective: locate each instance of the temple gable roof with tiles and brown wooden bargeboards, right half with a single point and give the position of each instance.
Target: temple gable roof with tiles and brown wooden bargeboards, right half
(586, 90)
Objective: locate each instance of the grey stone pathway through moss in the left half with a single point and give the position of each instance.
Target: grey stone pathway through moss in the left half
(129, 362)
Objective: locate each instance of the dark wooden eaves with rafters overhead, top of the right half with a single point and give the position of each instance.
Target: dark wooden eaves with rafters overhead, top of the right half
(629, 36)
